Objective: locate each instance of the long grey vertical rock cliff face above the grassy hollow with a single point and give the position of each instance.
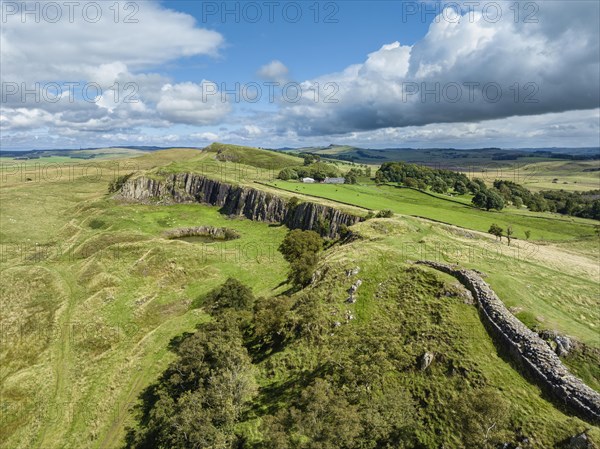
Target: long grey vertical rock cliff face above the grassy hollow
(241, 201)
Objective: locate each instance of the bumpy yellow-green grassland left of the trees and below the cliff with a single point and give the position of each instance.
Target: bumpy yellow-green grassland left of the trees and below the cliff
(87, 320)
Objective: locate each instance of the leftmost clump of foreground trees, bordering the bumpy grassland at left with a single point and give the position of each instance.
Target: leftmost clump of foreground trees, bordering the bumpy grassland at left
(203, 394)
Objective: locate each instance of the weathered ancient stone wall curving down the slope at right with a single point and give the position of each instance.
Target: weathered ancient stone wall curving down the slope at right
(526, 346)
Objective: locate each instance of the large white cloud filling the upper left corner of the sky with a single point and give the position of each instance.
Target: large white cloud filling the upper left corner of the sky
(33, 51)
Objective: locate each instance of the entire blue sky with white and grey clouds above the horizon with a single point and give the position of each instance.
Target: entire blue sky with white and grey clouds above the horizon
(278, 74)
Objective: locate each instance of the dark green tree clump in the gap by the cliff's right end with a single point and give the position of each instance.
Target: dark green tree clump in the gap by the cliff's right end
(301, 249)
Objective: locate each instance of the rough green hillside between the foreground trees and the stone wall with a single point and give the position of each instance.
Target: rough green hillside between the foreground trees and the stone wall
(393, 302)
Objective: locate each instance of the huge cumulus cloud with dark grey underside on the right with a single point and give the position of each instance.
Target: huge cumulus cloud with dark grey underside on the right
(464, 70)
